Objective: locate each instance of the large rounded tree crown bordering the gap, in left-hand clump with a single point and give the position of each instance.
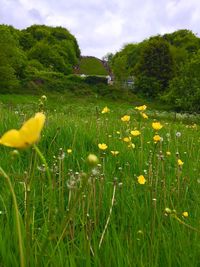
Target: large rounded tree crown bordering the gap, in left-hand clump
(55, 48)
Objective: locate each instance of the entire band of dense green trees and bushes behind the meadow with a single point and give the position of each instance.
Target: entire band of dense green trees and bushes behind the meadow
(43, 58)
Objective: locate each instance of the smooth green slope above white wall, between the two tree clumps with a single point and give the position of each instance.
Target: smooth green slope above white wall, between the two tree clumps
(92, 66)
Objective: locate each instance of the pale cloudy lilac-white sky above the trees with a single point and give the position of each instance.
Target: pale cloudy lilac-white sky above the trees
(104, 26)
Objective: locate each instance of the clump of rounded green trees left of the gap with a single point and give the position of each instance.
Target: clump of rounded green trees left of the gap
(37, 56)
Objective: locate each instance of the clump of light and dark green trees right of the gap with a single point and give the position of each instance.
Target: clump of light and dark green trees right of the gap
(165, 67)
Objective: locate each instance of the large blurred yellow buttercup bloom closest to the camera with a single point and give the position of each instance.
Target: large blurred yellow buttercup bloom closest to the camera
(27, 135)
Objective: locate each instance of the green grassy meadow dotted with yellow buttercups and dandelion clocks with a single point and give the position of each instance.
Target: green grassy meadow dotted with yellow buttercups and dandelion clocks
(136, 204)
